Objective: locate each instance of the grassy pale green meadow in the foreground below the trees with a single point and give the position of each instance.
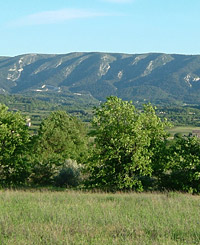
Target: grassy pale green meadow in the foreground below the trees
(67, 217)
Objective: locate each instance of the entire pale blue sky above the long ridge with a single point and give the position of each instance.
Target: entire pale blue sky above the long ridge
(121, 26)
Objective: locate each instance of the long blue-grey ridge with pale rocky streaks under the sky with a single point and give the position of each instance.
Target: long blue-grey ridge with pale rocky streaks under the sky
(155, 77)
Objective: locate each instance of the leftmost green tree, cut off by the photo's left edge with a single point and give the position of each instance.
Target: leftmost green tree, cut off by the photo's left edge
(14, 140)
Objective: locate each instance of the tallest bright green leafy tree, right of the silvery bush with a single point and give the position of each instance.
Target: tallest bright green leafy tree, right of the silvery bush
(126, 141)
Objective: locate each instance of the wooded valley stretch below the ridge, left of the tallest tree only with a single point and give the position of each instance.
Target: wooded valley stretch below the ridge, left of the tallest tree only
(38, 107)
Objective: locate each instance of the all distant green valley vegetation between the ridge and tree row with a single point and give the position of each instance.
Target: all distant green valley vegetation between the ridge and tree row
(38, 106)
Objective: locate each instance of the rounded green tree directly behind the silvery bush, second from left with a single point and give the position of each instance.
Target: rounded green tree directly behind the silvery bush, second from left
(60, 137)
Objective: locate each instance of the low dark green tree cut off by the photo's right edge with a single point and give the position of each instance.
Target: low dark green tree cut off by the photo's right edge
(182, 172)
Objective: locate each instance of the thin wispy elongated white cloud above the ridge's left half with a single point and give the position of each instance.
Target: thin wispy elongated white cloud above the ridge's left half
(57, 16)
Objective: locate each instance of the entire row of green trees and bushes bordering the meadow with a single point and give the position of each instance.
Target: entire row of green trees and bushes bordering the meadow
(126, 149)
